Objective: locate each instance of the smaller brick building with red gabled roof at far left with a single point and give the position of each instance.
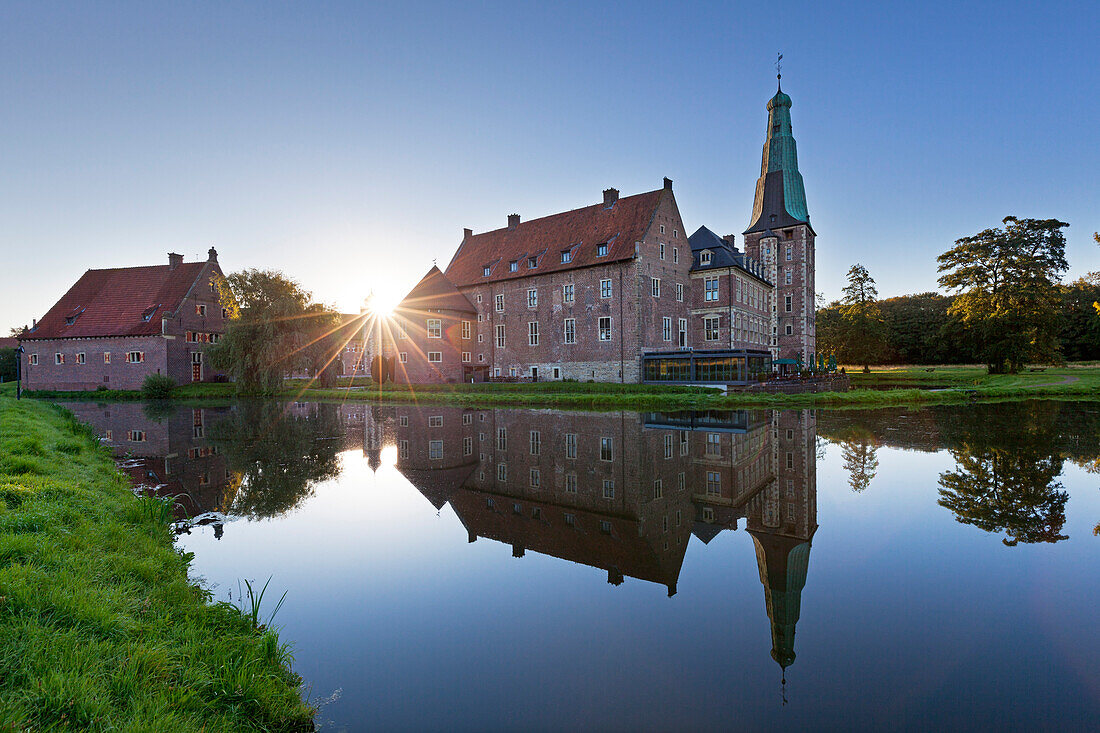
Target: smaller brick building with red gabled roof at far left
(115, 327)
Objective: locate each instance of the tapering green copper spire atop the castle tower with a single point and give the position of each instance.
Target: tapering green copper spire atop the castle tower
(780, 196)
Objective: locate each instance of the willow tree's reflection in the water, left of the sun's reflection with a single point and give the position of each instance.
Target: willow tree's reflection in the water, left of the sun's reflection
(278, 455)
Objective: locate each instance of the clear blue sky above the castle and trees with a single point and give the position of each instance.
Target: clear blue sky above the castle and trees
(349, 145)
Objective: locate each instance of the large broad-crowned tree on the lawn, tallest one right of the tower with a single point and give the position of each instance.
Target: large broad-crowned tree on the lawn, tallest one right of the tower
(1007, 283)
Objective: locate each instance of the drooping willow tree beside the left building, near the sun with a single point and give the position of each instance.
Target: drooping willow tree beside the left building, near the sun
(274, 331)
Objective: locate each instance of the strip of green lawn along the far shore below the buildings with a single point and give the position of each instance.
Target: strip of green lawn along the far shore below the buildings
(877, 389)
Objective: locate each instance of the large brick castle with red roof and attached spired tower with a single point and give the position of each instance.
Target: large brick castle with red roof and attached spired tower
(618, 292)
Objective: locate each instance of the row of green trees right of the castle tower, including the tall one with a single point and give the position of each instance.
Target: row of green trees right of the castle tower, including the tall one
(1006, 307)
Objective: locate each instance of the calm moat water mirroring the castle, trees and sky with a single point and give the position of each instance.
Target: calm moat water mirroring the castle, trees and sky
(503, 570)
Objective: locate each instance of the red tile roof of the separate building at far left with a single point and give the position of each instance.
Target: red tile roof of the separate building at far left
(117, 302)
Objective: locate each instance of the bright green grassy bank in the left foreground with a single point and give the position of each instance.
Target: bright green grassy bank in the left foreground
(100, 627)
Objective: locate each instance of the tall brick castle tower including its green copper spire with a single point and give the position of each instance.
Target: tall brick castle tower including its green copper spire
(780, 237)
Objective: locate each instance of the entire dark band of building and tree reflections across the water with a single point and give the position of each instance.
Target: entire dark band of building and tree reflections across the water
(623, 493)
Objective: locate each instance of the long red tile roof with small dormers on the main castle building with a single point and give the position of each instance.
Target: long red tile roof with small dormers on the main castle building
(580, 231)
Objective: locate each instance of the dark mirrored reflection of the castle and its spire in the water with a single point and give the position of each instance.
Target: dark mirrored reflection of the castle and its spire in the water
(622, 491)
